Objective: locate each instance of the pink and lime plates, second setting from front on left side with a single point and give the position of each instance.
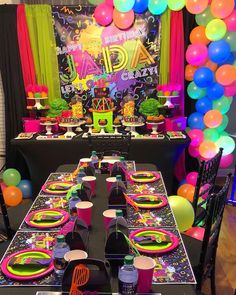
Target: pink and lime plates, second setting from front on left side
(55, 212)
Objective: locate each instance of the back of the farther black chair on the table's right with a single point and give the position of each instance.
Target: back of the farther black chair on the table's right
(206, 176)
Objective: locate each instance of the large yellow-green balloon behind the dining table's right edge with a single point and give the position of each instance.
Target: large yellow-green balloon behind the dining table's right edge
(183, 212)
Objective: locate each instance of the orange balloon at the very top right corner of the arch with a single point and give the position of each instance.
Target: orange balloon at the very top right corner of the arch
(222, 8)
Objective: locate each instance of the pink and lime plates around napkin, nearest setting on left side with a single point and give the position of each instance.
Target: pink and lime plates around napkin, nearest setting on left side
(7, 270)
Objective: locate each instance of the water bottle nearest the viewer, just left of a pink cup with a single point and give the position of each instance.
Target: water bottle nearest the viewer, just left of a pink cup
(128, 277)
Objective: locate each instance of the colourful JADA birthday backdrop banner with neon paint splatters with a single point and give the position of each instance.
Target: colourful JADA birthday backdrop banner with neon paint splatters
(90, 56)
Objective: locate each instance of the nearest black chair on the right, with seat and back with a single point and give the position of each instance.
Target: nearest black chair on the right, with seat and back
(202, 254)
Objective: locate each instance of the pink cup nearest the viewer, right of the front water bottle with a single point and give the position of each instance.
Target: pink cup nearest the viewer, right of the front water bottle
(145, 266)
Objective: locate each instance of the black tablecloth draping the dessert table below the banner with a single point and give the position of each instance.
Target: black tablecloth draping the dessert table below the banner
(42, 157)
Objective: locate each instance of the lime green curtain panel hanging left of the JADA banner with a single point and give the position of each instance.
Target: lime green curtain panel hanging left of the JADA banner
(42, 40)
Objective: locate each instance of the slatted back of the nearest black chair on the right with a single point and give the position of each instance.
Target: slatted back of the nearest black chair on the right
(215, 209)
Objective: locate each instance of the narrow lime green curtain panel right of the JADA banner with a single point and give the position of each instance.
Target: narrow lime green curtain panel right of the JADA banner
(165, 47)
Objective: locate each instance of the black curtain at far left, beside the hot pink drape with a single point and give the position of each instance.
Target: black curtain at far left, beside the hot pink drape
(13, 85)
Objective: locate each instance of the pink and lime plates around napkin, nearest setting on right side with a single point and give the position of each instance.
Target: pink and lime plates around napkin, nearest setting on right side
(152, 249)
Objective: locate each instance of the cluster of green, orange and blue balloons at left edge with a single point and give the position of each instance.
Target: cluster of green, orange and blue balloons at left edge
(13, 188)
